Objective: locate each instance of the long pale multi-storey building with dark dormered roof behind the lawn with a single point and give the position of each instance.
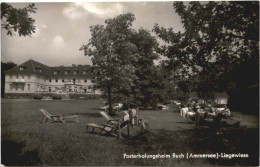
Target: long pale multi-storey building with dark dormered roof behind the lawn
(34, 77)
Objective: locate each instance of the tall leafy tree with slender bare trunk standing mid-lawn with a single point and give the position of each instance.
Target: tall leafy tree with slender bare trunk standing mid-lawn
(113, 54)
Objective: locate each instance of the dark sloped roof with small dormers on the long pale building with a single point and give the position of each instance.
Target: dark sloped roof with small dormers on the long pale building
(34, 67)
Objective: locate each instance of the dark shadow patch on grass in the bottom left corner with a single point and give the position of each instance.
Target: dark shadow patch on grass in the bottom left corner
(13, 154)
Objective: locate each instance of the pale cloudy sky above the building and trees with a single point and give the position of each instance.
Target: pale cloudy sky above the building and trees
(62, 28)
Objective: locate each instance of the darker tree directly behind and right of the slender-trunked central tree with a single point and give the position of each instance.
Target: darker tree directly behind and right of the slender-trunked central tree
(148, 85)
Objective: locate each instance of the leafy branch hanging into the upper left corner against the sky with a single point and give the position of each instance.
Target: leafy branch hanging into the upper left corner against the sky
(18, 20)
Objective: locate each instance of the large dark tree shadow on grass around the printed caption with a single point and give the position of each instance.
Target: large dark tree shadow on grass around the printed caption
(202, 141)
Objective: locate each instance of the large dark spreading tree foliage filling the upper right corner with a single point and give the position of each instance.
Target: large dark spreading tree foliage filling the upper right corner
(218, 36)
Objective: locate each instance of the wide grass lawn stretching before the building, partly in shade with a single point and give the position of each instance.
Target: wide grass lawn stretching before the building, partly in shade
(27, 141)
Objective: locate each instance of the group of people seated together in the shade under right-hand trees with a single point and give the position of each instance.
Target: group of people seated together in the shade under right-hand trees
(196, 112)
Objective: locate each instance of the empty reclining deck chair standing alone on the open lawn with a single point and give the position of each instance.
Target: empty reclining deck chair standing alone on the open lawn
(57, 117)
